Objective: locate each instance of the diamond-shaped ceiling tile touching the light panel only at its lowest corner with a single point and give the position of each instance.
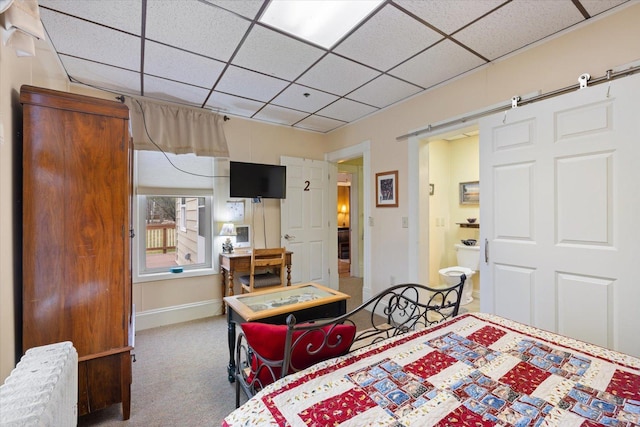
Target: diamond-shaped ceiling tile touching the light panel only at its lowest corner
(337, 75)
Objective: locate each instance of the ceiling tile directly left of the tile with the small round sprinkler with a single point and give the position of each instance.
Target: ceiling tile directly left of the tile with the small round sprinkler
(248, 84)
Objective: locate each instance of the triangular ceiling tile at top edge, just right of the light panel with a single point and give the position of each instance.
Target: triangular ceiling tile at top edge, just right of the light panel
(448, 15)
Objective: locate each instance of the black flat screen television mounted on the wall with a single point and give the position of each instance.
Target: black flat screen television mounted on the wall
(256, 180)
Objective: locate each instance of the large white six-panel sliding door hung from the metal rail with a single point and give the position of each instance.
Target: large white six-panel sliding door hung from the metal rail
(558, 183)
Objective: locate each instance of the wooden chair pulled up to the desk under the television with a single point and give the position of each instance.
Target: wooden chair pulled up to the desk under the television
(267, 270)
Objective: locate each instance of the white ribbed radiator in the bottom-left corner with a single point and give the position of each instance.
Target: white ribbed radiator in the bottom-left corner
(42, 390)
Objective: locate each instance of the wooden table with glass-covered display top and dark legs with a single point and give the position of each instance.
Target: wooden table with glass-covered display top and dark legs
(308, 301)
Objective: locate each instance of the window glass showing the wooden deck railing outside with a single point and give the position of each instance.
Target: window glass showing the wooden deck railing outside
(177, 233)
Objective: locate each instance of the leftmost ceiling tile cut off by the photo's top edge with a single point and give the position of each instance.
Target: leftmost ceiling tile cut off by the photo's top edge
(126, 16)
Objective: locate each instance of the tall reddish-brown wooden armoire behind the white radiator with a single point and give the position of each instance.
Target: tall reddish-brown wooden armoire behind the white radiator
(76, 238)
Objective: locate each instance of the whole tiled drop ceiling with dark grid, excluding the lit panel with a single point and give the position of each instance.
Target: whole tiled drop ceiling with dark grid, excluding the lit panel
(215, 54)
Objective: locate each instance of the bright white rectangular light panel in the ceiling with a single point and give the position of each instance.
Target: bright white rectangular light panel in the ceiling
(320, 22)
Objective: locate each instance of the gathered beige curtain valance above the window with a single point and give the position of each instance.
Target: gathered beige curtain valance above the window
(176, 129)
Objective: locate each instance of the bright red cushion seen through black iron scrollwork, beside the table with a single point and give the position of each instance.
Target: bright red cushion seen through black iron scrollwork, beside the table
(268, 341)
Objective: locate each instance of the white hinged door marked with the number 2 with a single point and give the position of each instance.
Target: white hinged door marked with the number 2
(304, 225)
